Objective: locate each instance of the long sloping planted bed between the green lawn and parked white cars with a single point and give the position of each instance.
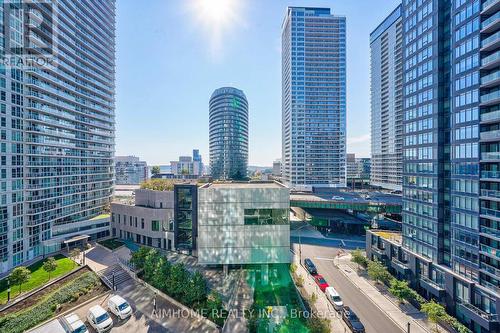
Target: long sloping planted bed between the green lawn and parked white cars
(59, 297)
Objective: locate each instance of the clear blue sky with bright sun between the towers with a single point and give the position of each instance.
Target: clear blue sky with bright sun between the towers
(170, 58)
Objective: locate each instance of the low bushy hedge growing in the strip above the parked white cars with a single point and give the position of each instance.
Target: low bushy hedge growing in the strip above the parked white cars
(23, 320)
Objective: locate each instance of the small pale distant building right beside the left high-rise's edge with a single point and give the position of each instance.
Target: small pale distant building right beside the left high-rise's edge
(130, 170)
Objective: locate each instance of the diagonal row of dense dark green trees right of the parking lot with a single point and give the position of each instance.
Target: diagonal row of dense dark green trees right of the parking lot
(177, 282)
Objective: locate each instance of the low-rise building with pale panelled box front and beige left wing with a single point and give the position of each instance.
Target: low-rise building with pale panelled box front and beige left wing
(229, 223)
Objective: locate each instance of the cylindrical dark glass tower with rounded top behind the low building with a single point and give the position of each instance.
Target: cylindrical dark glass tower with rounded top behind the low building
(228, 134)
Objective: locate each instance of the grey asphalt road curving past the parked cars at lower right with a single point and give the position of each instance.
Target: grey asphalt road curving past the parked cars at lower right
(371, 316)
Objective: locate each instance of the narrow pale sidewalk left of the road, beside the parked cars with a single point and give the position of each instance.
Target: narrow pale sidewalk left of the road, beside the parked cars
(322, 305)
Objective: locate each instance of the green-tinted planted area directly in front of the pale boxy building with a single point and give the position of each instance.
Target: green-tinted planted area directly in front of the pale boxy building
(278, 291)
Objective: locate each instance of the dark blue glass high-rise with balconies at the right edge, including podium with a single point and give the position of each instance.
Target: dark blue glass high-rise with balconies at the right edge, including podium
(451, 218)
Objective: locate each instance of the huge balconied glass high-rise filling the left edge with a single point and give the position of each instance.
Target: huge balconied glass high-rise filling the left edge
(56, 125)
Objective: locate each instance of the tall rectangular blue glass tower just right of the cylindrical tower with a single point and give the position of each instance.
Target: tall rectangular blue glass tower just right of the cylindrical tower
(313, 98)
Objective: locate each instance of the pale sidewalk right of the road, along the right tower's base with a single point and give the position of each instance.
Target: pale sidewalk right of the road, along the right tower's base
(417, 319)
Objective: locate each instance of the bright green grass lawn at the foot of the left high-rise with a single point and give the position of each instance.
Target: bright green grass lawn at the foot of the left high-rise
(38, 277)
